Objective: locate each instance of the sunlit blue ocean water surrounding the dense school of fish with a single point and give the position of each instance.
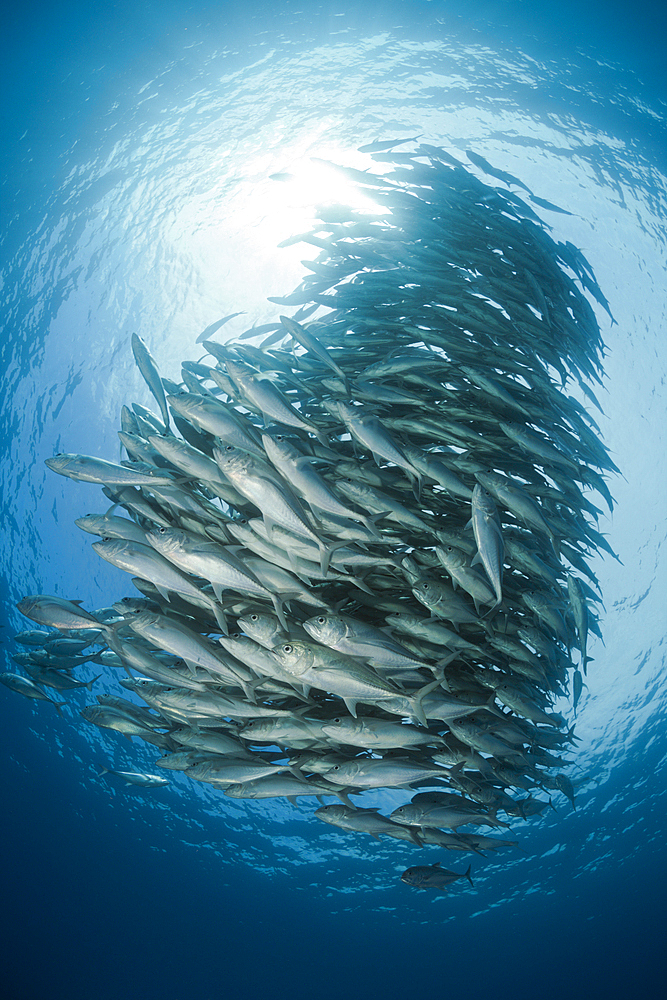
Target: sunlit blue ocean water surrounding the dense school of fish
(137, 146)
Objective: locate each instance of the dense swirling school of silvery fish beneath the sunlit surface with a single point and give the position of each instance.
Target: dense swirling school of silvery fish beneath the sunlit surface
(362, 545)
